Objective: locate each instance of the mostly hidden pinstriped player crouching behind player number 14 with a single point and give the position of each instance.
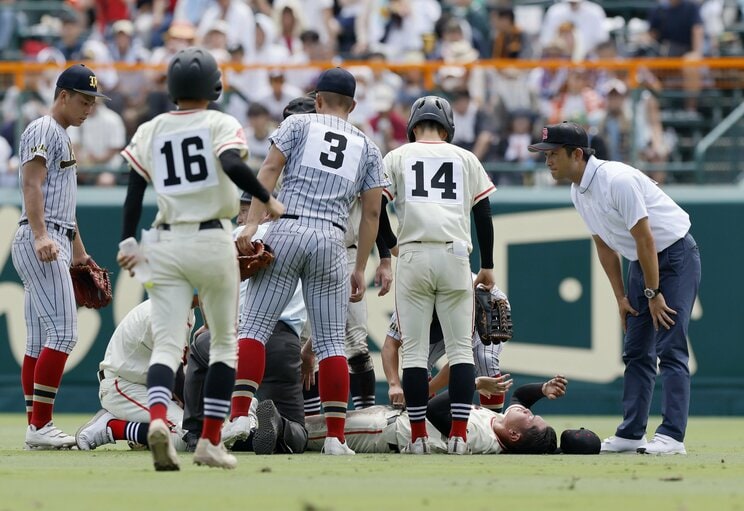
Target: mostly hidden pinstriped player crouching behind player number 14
(486, 360)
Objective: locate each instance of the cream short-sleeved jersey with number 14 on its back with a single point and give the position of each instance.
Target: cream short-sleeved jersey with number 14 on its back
(434, 185)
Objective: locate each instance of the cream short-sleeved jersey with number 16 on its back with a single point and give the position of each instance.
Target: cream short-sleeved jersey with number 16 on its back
(179, 153)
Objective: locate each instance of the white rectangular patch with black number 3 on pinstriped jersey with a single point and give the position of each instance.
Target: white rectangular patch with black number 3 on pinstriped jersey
(332, 152)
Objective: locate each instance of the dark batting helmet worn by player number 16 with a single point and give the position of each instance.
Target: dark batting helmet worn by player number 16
(193, 74)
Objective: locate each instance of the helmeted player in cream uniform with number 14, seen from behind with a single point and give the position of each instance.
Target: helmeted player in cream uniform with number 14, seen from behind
(435, 185)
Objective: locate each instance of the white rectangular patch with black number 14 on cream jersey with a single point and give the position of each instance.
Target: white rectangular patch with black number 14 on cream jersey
(434, 180)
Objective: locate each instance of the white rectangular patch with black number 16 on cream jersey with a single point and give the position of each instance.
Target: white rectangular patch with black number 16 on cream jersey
(183, 162)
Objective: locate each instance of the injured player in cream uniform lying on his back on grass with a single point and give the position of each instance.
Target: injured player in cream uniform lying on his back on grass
(384, 429)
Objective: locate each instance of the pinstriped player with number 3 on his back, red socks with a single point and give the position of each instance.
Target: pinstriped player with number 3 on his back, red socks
(327, 162)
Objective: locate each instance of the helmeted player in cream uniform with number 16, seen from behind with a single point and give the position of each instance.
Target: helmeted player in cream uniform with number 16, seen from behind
(192, 156)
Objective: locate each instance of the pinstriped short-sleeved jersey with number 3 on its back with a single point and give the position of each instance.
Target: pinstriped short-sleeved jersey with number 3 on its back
(329, 162)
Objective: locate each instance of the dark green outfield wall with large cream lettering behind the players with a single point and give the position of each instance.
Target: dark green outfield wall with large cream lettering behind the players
(564, 313)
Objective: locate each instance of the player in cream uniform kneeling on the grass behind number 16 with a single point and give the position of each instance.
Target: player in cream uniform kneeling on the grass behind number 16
(123, 385)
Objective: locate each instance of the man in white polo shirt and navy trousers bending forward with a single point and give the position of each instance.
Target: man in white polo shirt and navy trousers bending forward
(628, 214)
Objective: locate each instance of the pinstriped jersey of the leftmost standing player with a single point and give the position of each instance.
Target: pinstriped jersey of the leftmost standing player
(46, 138)
